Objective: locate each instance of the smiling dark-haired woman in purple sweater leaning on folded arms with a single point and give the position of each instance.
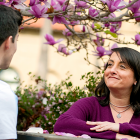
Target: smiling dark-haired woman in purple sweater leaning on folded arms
(115, 111)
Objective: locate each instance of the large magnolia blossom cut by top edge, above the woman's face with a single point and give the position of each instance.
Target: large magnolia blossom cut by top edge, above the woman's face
(114, 5)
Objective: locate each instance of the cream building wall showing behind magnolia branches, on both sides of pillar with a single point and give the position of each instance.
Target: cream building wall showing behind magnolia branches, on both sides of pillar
(27, 57)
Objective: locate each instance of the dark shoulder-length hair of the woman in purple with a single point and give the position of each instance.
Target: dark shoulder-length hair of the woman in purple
(132, 58)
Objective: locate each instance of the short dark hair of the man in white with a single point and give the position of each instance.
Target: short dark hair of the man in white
(10, 20)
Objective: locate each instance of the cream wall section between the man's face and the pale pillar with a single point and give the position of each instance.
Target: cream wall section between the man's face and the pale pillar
(26, 58)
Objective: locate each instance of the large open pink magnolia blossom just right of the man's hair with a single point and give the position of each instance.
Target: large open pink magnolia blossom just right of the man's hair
(39, 11)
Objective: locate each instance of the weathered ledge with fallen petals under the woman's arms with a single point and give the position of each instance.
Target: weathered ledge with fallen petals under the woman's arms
(22, 135)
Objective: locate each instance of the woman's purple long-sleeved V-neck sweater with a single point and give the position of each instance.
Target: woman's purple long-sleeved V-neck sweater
(88, 109)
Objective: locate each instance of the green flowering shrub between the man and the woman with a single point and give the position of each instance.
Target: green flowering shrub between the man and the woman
(42, 107)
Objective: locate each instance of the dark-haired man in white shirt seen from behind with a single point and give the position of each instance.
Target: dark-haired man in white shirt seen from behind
(10, 20)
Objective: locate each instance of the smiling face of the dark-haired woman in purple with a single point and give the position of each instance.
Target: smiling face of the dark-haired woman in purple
(118, 74)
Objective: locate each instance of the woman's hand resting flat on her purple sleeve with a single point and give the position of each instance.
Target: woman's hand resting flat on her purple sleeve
(104, 126)
